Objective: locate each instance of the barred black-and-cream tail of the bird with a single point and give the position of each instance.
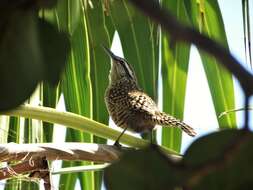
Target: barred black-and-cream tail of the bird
(165, 119)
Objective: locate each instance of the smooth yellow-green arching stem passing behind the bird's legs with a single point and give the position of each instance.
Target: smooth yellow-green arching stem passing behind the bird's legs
(78, 122)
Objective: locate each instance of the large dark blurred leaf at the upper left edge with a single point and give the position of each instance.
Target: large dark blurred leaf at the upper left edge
(26, 57)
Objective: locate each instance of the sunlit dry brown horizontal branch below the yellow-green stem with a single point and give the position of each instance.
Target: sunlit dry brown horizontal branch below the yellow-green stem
(63, 151)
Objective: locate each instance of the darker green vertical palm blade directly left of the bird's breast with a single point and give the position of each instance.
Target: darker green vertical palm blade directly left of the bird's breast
(100, 30)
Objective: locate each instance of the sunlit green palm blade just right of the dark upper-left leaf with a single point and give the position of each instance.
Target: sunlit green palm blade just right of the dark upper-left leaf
(76, 84)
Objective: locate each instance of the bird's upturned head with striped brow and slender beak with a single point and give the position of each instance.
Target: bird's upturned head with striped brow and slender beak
(119, 68)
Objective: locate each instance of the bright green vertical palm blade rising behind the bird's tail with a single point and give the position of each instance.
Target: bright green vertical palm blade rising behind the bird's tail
(175, 60)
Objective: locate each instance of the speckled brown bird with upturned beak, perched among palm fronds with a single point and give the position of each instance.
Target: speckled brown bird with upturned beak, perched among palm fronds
(129, 106)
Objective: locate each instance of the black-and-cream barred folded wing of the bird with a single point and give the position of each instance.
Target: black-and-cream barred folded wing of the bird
(140, 101)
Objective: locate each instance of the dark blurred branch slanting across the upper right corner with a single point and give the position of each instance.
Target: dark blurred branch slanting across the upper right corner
(184, 33)
